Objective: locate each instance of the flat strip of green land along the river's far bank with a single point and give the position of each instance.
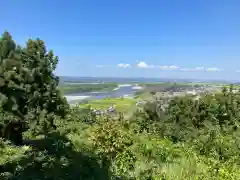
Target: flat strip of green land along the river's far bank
(78, 88)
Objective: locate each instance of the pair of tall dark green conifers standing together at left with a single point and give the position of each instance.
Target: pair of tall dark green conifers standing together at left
(28, 86)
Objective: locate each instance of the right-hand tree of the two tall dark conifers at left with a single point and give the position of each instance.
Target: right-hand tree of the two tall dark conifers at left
(43, 93)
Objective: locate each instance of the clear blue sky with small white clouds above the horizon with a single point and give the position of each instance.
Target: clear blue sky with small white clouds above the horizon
(132, 38)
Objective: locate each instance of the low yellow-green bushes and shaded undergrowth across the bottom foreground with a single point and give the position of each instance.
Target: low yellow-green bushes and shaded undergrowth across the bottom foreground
(110, 149)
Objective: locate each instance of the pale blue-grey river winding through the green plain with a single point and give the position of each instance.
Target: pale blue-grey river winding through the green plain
(124, 90)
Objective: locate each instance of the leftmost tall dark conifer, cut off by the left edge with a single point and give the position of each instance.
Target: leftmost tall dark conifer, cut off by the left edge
(12, 93)
